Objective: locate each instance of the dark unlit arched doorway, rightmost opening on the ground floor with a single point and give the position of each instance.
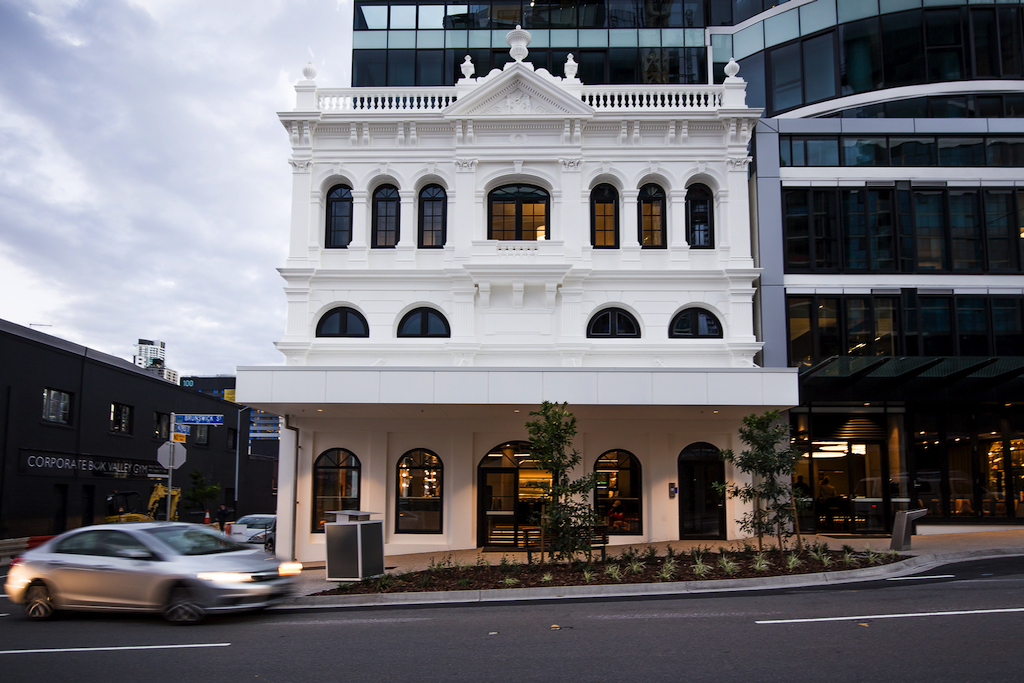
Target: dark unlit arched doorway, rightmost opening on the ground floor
(702, 509)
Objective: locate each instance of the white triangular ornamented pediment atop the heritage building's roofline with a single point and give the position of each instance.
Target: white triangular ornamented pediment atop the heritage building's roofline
(519, 92)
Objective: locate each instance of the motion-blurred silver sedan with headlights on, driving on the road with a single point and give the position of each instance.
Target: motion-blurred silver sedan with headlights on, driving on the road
(183, 571)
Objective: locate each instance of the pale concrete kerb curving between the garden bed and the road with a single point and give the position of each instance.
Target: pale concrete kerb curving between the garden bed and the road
(902, 569)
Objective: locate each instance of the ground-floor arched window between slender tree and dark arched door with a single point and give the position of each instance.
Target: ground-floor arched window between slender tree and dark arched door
(619, 492)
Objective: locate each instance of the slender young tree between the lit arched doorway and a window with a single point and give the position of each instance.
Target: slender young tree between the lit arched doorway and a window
(568, 515)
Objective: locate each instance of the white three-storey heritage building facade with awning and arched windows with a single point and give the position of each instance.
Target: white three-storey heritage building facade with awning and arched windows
(459, 255)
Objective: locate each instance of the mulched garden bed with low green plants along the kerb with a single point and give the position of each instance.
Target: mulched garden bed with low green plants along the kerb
(631, 567)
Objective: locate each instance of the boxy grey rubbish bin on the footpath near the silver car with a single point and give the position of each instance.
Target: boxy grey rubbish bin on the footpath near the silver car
(355, 546)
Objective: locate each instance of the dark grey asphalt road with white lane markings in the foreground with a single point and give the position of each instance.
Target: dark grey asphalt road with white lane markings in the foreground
(961, 622)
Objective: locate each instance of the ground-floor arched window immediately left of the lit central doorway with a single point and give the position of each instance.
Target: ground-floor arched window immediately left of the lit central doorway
(419, 497)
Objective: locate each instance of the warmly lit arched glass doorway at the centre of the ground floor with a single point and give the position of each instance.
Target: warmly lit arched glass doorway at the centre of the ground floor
(511, 489)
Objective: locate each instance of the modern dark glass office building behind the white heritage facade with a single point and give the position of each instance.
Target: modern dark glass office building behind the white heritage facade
(888, 204)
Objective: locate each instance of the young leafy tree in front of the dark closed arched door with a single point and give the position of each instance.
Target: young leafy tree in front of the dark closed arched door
(771, 460)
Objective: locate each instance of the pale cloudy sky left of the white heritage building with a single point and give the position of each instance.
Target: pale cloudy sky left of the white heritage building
(145, 188)
